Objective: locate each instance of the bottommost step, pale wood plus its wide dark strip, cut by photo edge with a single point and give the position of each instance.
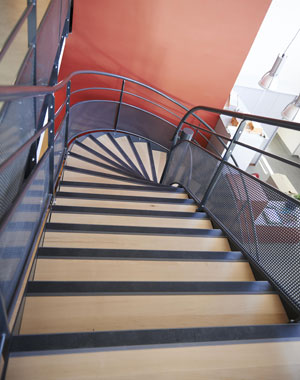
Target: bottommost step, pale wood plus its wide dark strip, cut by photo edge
(252, 352)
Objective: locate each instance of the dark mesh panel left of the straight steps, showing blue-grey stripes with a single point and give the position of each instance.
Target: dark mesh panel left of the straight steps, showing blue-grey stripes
(17, 236)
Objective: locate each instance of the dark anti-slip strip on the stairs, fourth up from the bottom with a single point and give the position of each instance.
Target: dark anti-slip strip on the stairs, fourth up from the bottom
(129, 230)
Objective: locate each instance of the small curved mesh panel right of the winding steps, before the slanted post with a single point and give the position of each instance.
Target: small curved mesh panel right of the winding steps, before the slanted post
(191, 167)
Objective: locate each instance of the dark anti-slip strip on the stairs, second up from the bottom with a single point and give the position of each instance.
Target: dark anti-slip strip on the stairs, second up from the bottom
(77, 288)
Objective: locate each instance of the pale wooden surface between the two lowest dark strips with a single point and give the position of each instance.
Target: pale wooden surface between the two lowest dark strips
(105, 313)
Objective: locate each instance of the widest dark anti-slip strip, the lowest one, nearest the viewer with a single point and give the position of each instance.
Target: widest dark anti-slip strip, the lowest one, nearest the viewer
(141, 339)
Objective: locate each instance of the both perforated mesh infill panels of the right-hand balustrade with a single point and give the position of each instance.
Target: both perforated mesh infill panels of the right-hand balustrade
(265, 222)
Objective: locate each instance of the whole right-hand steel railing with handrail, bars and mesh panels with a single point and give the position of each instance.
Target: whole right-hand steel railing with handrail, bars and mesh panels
(260, 220)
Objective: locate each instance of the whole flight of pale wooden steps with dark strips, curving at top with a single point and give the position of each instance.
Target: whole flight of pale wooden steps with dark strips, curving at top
(132, 282)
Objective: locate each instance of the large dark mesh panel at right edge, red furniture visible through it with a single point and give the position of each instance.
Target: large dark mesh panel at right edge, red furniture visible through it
(265, 222)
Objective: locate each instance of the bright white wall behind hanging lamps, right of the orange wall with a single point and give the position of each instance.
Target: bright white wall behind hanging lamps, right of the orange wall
(278, 28)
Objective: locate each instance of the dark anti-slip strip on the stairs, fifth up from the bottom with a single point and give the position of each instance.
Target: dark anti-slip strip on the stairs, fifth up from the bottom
(129, 212)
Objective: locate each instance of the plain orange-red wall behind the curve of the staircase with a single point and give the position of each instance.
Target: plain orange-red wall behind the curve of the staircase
(192, 50)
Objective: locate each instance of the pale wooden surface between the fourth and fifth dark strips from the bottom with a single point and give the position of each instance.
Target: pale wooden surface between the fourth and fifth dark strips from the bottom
(129, 220)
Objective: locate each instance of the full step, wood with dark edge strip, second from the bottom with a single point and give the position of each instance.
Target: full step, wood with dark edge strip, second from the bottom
(107, 306)
